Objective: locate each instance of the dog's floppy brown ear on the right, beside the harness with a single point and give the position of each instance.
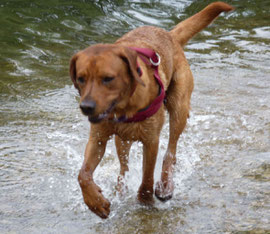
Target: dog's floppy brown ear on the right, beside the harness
(130, 58)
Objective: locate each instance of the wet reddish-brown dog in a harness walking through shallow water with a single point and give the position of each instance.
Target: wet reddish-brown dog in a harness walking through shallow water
(122, 91)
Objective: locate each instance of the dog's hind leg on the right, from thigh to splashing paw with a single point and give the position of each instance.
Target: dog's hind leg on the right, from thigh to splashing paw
(178, 105)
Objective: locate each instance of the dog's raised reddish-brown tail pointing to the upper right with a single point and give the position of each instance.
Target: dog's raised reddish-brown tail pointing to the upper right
(189, 27)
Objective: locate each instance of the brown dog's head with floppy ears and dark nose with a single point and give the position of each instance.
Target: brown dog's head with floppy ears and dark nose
(105, 76)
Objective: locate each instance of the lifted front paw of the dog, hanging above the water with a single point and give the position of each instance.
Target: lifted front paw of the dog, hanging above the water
(95, 201)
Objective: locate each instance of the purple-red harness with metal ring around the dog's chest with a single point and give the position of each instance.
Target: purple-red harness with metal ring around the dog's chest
(149, 57)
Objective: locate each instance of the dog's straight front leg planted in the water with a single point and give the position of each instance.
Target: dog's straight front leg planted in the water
(145, 193)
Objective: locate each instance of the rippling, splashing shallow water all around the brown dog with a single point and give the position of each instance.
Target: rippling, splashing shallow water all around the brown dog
(223, 169)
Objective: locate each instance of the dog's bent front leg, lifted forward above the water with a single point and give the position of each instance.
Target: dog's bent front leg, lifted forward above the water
(92, 193)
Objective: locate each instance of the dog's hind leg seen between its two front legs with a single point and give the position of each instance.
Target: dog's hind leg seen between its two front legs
(122, 148)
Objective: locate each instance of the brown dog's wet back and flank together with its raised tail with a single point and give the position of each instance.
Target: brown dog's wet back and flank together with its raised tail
(167, 44)
